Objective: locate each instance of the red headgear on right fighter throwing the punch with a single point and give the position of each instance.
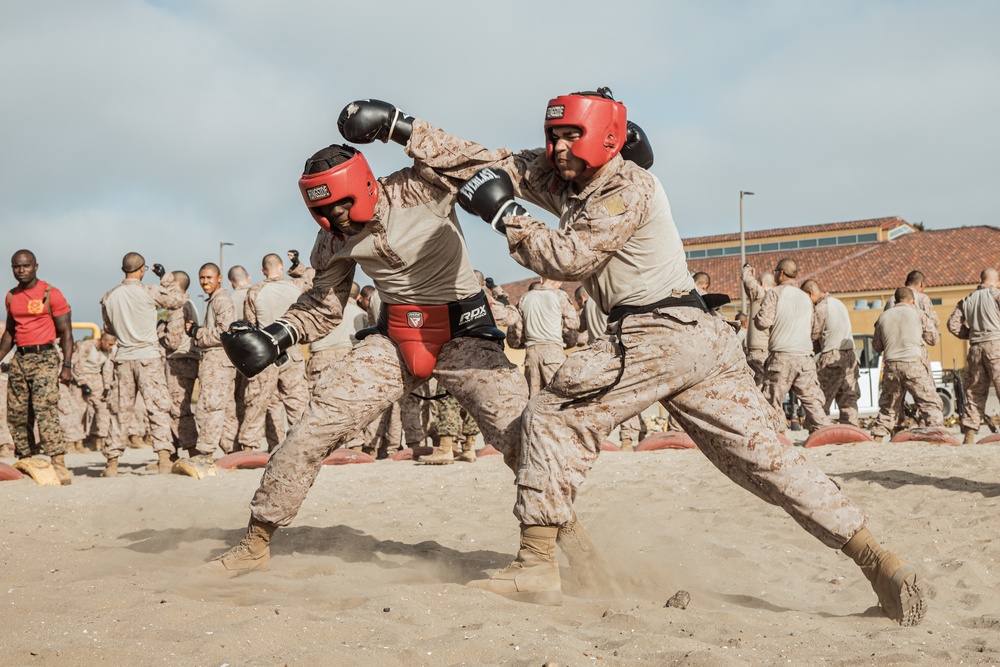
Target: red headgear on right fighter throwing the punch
(601, 121)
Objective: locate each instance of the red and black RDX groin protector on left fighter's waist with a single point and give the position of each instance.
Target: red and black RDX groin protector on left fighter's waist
(421, 331)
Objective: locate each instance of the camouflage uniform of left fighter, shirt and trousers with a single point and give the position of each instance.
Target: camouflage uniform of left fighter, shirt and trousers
(414, 252)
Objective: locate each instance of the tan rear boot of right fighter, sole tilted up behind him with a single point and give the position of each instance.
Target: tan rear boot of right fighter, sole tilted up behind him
(899, 590)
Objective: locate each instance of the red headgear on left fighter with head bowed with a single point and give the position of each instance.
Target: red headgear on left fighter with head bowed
(352, 178)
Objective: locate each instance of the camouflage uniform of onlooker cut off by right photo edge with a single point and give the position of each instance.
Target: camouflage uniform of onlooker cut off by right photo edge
(977, 319)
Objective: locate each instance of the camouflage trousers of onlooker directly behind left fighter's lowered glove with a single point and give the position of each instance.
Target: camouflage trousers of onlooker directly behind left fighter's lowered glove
(273, 396)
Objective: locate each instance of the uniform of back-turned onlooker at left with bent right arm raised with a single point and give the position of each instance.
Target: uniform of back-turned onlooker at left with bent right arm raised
(130, 313)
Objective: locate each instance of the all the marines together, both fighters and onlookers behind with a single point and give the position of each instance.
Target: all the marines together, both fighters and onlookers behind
(429, 326)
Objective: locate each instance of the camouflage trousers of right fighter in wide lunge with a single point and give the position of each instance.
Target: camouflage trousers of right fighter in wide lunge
(691, 362)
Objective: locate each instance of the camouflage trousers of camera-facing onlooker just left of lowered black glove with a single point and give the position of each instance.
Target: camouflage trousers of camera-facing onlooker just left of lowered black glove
(216, 415)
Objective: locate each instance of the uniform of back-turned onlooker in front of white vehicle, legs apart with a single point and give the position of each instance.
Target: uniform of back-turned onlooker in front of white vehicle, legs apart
(900, 333)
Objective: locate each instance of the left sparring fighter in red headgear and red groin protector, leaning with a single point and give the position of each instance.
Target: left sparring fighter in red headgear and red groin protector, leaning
(435, 320)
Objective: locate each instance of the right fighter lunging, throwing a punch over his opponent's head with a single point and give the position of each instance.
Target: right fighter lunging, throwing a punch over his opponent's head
(616, 235)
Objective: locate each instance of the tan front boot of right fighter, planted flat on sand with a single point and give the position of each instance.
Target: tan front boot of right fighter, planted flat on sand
(534, 575)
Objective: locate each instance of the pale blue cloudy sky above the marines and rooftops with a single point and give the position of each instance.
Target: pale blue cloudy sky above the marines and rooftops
(168, 127)
